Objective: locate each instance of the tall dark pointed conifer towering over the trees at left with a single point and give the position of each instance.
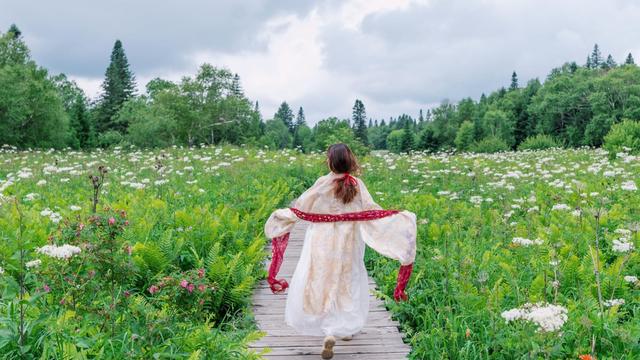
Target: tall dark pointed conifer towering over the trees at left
(118, 86)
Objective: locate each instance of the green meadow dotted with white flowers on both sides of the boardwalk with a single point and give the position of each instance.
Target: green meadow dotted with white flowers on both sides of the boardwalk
(520, 255)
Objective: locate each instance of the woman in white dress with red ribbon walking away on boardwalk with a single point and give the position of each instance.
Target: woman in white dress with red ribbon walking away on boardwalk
(329, 292)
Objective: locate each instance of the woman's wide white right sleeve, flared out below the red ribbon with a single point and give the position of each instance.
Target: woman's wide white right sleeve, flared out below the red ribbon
(393, 236)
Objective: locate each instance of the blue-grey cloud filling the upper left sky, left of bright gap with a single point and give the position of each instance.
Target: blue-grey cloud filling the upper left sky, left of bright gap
(76, 36)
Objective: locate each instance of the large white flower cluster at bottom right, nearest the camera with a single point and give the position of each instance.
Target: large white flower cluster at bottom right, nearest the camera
(548, 317)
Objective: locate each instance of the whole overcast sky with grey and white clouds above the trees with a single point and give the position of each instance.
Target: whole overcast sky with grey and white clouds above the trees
(397, 56)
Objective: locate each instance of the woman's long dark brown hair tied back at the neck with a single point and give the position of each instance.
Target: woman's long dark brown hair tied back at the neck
(341, 160)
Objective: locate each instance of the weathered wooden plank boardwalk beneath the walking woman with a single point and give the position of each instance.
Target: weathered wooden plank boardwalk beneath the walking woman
(380, 338)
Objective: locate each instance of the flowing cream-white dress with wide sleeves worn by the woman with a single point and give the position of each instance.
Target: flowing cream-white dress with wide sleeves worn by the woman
(329, 293)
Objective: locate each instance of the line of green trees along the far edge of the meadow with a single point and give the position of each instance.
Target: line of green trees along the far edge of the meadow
(576, 105)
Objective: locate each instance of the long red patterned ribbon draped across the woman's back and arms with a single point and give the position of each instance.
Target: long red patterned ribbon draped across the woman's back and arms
(279, 245)
